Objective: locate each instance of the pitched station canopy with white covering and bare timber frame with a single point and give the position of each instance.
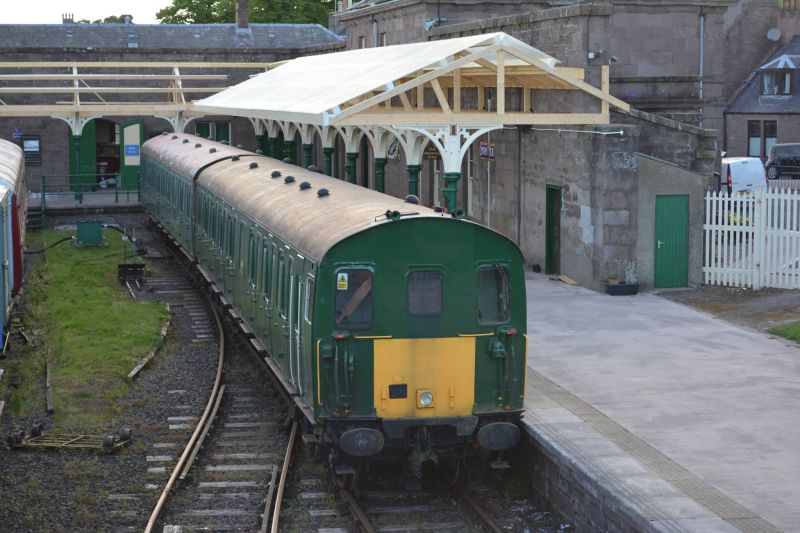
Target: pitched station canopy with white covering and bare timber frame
(415, 84)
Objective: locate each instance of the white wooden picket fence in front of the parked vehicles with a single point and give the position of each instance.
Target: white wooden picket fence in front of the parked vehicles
(754, 240)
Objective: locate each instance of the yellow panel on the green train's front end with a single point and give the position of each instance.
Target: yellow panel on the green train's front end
(445, 367)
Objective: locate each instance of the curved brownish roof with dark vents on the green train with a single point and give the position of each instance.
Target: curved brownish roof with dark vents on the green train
(311, 223)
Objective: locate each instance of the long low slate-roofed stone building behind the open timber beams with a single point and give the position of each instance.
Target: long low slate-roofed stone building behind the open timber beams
(95, 147)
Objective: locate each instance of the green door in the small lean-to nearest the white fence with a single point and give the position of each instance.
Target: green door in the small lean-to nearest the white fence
(672, 241)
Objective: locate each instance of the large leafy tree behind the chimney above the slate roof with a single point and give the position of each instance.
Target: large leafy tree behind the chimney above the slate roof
(224, 11)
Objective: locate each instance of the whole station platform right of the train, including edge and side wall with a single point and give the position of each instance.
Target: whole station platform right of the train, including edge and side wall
(651, 416)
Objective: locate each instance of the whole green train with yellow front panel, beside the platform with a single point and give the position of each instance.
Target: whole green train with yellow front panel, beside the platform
(398, 330)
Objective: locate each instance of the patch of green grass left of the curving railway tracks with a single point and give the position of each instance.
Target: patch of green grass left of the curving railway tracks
(88, 325)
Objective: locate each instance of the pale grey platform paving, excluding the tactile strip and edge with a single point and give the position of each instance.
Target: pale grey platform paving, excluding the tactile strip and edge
(717, 399)
